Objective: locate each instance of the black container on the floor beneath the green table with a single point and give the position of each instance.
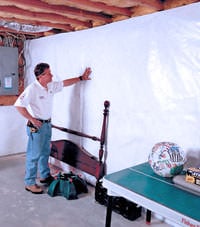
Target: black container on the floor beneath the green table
(120, 205)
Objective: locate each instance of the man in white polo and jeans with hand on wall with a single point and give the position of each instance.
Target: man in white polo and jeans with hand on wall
(35, 104)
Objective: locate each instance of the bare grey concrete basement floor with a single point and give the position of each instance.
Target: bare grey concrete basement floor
(19, 208)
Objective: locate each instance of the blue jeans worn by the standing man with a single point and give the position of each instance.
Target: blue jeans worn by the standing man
(37, 155)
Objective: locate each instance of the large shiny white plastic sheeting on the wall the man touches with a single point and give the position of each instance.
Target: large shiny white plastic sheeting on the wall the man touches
(147, 67)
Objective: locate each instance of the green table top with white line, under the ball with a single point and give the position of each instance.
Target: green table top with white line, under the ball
(142, 180)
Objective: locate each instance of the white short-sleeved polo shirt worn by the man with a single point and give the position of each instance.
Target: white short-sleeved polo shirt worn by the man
(38, 100)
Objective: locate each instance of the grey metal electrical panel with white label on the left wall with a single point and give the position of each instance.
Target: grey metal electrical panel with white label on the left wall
(8, 71)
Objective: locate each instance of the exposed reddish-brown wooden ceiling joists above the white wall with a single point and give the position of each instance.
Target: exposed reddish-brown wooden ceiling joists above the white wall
(72, 15)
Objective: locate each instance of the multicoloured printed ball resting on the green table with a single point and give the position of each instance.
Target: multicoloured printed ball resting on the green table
(166, 159)
